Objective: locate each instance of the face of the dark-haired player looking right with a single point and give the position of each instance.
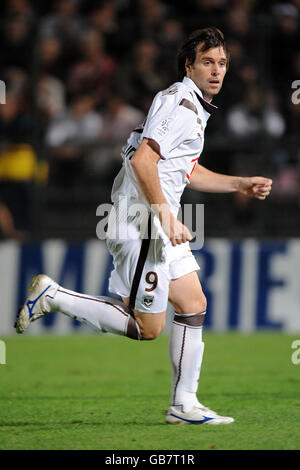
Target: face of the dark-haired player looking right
(208, 70)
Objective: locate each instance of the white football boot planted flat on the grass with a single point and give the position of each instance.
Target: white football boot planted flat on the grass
(199, 414)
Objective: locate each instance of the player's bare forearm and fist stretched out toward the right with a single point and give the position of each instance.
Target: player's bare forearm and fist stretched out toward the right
(208, 181)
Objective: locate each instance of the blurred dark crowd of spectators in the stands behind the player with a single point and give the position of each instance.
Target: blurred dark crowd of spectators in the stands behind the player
(81, 75)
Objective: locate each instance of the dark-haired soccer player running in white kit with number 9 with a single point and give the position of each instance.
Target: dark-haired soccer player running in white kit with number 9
(157, 266)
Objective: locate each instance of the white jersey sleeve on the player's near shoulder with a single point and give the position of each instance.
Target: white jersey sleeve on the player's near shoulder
(168, 123)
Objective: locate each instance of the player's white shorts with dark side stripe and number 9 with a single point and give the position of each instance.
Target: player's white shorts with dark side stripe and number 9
(144, 268)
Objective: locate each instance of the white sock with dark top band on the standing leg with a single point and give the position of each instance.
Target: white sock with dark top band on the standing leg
(186, 351)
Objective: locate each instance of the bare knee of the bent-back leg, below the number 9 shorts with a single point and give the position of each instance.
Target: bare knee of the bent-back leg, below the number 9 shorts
(151, 324)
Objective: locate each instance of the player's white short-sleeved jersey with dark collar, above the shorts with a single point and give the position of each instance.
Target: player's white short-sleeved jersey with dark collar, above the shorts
(176, 122)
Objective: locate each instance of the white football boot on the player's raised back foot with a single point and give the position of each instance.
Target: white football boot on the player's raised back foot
(36, 305)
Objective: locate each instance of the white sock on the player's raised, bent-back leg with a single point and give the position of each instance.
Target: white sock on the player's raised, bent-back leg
(105, 314)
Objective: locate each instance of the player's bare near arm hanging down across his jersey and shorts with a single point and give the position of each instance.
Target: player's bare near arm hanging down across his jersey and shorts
(144, 165)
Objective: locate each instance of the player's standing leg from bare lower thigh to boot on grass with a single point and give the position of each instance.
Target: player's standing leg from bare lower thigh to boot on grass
(186, 349)
